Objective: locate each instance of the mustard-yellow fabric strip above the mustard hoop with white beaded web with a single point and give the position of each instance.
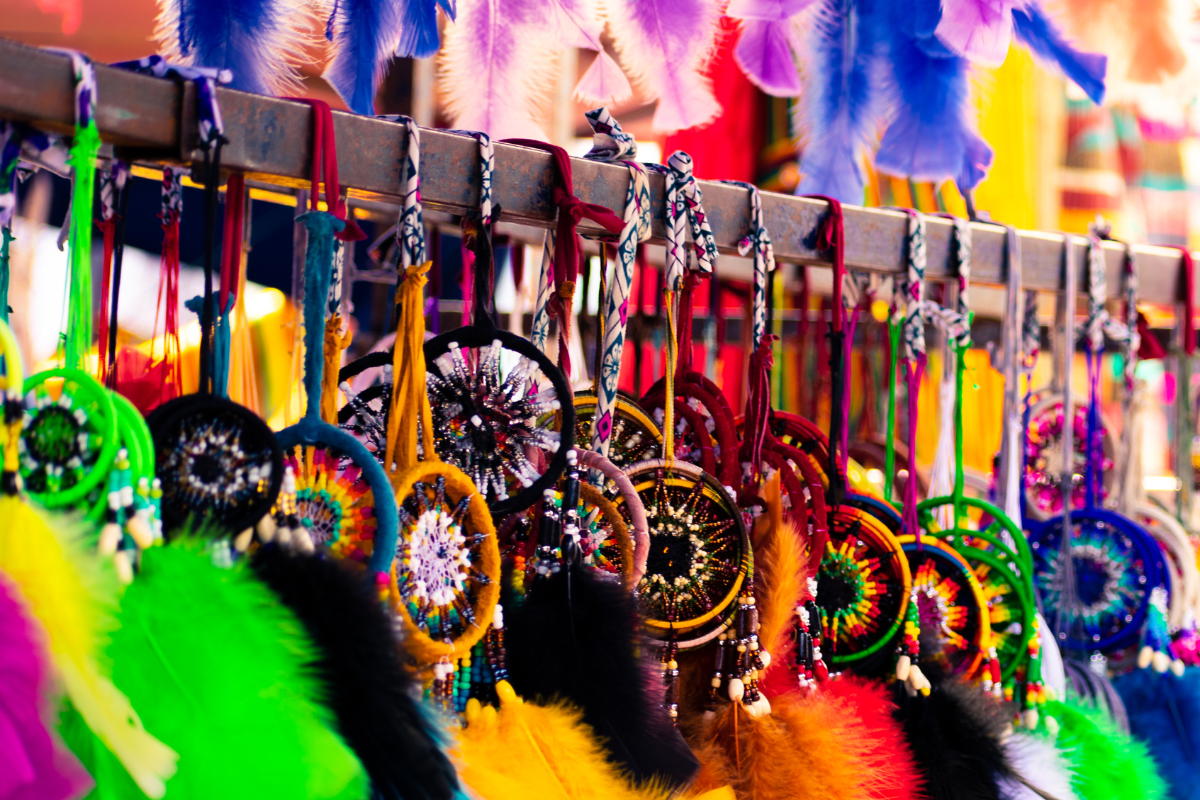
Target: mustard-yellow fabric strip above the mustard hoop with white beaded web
(410, 399)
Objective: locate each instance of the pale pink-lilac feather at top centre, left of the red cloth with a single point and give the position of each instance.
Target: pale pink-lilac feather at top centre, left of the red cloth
(665, 45)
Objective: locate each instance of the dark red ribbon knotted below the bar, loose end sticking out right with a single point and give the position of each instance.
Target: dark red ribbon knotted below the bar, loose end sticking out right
(572, 210)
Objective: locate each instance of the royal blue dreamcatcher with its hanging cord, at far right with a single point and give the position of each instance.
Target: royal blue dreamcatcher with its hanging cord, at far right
(1096, 584)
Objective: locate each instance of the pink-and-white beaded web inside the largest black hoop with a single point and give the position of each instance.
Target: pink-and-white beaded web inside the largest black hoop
(489, 406)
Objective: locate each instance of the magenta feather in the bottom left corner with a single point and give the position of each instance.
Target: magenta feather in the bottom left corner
(34, 766)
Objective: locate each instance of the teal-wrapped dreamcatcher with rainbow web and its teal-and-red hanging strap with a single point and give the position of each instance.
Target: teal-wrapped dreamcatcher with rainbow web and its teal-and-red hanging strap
(343, 498)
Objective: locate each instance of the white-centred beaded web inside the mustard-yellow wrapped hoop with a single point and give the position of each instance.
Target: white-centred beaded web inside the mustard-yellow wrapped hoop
(441, 564)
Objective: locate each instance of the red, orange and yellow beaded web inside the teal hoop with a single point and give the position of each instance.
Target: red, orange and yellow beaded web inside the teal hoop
(333, 501)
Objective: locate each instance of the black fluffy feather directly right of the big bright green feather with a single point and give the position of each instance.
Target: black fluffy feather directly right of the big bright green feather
(369, 689)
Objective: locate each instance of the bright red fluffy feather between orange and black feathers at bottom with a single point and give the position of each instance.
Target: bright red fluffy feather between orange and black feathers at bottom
(890, 771)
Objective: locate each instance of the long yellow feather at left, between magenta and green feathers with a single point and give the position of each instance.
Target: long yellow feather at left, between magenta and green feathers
(73, 596)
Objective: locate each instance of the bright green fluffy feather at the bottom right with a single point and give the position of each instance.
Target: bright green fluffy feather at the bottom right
(1108, 765)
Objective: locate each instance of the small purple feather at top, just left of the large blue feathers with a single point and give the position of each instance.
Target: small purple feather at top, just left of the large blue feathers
(767, 41)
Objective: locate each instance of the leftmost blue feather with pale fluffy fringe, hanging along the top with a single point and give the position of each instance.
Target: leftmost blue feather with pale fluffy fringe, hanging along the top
(260, 41)
